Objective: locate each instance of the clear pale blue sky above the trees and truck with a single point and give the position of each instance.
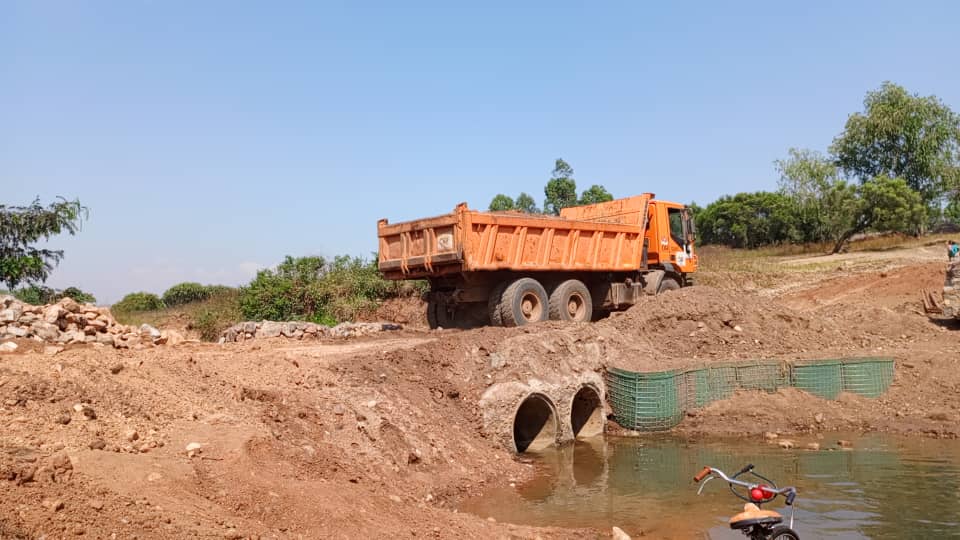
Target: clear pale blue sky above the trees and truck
(212, 138)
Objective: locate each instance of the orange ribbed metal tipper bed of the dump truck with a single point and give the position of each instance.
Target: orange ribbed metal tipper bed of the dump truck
(600, 237)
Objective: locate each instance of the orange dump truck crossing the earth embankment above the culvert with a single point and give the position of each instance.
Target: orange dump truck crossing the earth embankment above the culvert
(511, 268)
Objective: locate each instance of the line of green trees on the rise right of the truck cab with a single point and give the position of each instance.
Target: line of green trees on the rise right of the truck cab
(894, 168)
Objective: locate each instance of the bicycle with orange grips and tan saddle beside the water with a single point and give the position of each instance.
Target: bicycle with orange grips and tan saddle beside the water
(753, 522)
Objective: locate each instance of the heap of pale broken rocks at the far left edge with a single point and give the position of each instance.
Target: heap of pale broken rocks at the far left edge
(68, 322)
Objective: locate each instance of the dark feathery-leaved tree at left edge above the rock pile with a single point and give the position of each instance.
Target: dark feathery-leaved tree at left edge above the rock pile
(23, 226)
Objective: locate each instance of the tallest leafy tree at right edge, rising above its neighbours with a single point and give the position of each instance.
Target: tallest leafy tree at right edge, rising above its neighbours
(899, 135)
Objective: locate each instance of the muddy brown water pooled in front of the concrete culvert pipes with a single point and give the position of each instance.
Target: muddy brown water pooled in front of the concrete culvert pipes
(884, 487)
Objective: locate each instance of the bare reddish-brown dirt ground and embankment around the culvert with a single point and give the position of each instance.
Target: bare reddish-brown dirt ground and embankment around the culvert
(379, 437)
